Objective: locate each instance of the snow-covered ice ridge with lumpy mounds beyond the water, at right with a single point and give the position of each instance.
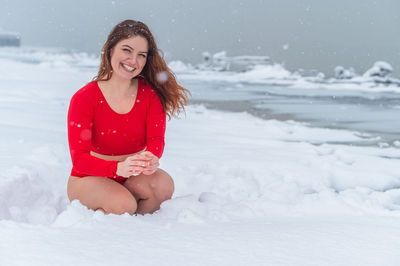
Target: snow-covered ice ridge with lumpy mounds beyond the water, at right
(261, 70)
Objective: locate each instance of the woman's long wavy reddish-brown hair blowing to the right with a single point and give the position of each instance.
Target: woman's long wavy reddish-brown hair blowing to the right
(155, 72)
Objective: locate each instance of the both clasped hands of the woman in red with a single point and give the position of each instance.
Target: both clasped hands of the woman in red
(142, 163)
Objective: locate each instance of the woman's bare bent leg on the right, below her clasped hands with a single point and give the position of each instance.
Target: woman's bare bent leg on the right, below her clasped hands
(150, 190)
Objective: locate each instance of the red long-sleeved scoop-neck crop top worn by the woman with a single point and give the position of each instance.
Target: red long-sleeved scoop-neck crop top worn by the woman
(94, 126)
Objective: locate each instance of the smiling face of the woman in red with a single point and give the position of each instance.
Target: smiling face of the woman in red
(129, 56)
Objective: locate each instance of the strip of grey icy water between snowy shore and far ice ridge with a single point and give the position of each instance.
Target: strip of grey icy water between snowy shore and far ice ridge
(374, 113)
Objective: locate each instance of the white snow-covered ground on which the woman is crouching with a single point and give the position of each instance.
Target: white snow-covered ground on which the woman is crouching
(248, 191)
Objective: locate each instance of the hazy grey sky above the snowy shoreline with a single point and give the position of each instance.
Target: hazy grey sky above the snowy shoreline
(319, 34)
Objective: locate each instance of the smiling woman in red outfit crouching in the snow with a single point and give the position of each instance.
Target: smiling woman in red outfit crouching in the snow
(116, 126)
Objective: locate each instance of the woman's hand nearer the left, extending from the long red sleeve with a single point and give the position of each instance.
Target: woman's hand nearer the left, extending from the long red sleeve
(133, 165)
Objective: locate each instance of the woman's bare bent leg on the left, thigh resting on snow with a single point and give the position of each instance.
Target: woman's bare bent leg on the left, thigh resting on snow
(99, 193)
